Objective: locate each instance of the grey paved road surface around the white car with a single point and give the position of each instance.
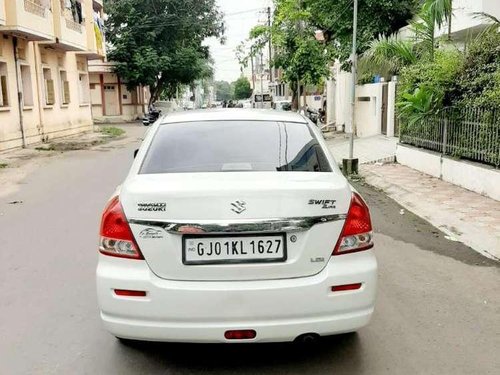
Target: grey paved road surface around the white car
(438, 310)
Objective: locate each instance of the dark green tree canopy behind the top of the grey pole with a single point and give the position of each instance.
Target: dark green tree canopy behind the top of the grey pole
(375, 17)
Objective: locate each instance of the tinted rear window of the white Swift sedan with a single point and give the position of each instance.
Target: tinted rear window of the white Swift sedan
(230, 146)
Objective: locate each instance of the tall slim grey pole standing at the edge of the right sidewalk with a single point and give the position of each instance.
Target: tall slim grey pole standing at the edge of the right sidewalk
(350, 166)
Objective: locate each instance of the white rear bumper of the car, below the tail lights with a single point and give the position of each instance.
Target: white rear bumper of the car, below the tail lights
(278, 310)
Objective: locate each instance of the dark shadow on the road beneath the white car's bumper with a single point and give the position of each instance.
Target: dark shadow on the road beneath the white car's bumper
(331, 354)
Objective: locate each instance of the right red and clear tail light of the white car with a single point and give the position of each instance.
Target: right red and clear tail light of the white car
(357, 233)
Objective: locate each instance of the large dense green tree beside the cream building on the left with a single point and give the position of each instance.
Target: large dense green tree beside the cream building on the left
(158, 43)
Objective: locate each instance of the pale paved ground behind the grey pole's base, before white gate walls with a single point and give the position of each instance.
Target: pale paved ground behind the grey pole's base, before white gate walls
(367, 150)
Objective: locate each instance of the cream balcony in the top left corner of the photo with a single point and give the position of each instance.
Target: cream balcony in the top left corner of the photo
(27, 18)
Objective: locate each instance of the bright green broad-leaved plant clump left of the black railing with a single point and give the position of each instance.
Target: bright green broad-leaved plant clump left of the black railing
(414, 107)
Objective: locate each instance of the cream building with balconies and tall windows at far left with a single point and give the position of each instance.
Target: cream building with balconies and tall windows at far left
(45, 46)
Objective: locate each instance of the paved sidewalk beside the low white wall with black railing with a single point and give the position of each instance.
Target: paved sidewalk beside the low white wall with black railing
(462, 215)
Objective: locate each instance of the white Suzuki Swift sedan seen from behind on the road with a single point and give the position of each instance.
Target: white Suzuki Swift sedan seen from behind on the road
(235, 226)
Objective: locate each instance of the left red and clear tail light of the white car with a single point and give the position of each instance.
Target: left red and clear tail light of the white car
(116, 237)
